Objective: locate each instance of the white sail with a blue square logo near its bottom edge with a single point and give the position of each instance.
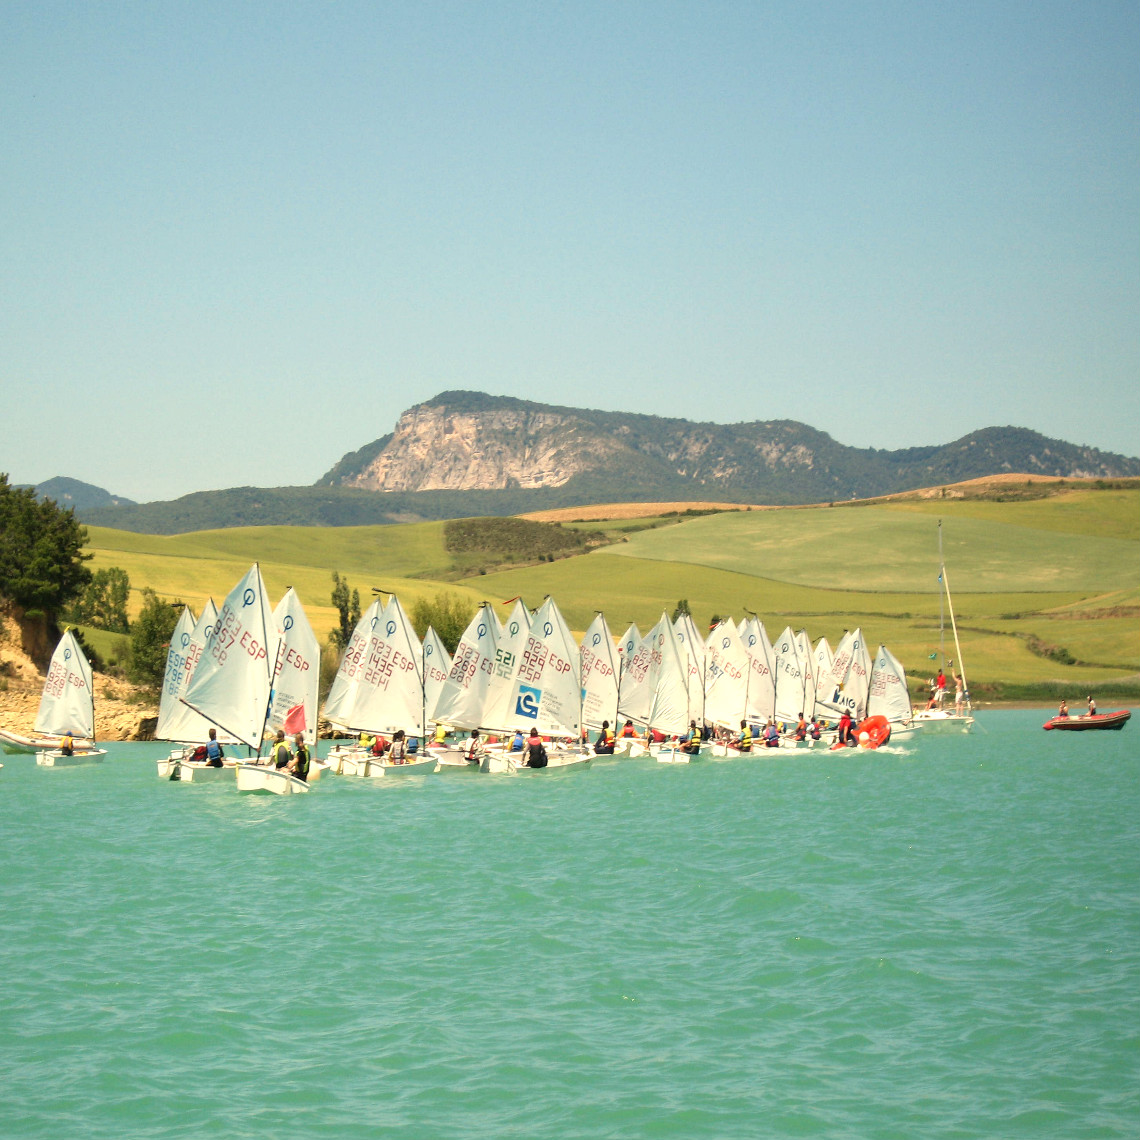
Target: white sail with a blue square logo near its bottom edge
(548, 690)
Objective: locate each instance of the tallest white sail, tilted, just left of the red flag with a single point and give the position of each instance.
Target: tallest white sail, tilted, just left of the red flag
(231, 687)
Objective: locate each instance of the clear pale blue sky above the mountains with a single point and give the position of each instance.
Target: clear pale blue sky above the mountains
(240, 240)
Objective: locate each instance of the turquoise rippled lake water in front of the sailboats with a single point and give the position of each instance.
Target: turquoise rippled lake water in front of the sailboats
(939, 941)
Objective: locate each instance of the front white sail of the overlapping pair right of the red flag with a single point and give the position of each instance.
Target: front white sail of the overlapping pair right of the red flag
(389, 685)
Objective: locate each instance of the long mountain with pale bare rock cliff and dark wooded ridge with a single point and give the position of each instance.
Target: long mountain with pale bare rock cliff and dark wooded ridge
(468, 442)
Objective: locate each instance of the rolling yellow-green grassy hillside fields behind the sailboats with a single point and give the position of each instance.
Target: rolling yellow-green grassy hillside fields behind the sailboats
(1047, 592)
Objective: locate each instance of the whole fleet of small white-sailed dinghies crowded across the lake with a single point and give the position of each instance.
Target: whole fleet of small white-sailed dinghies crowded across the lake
(246, 673)
